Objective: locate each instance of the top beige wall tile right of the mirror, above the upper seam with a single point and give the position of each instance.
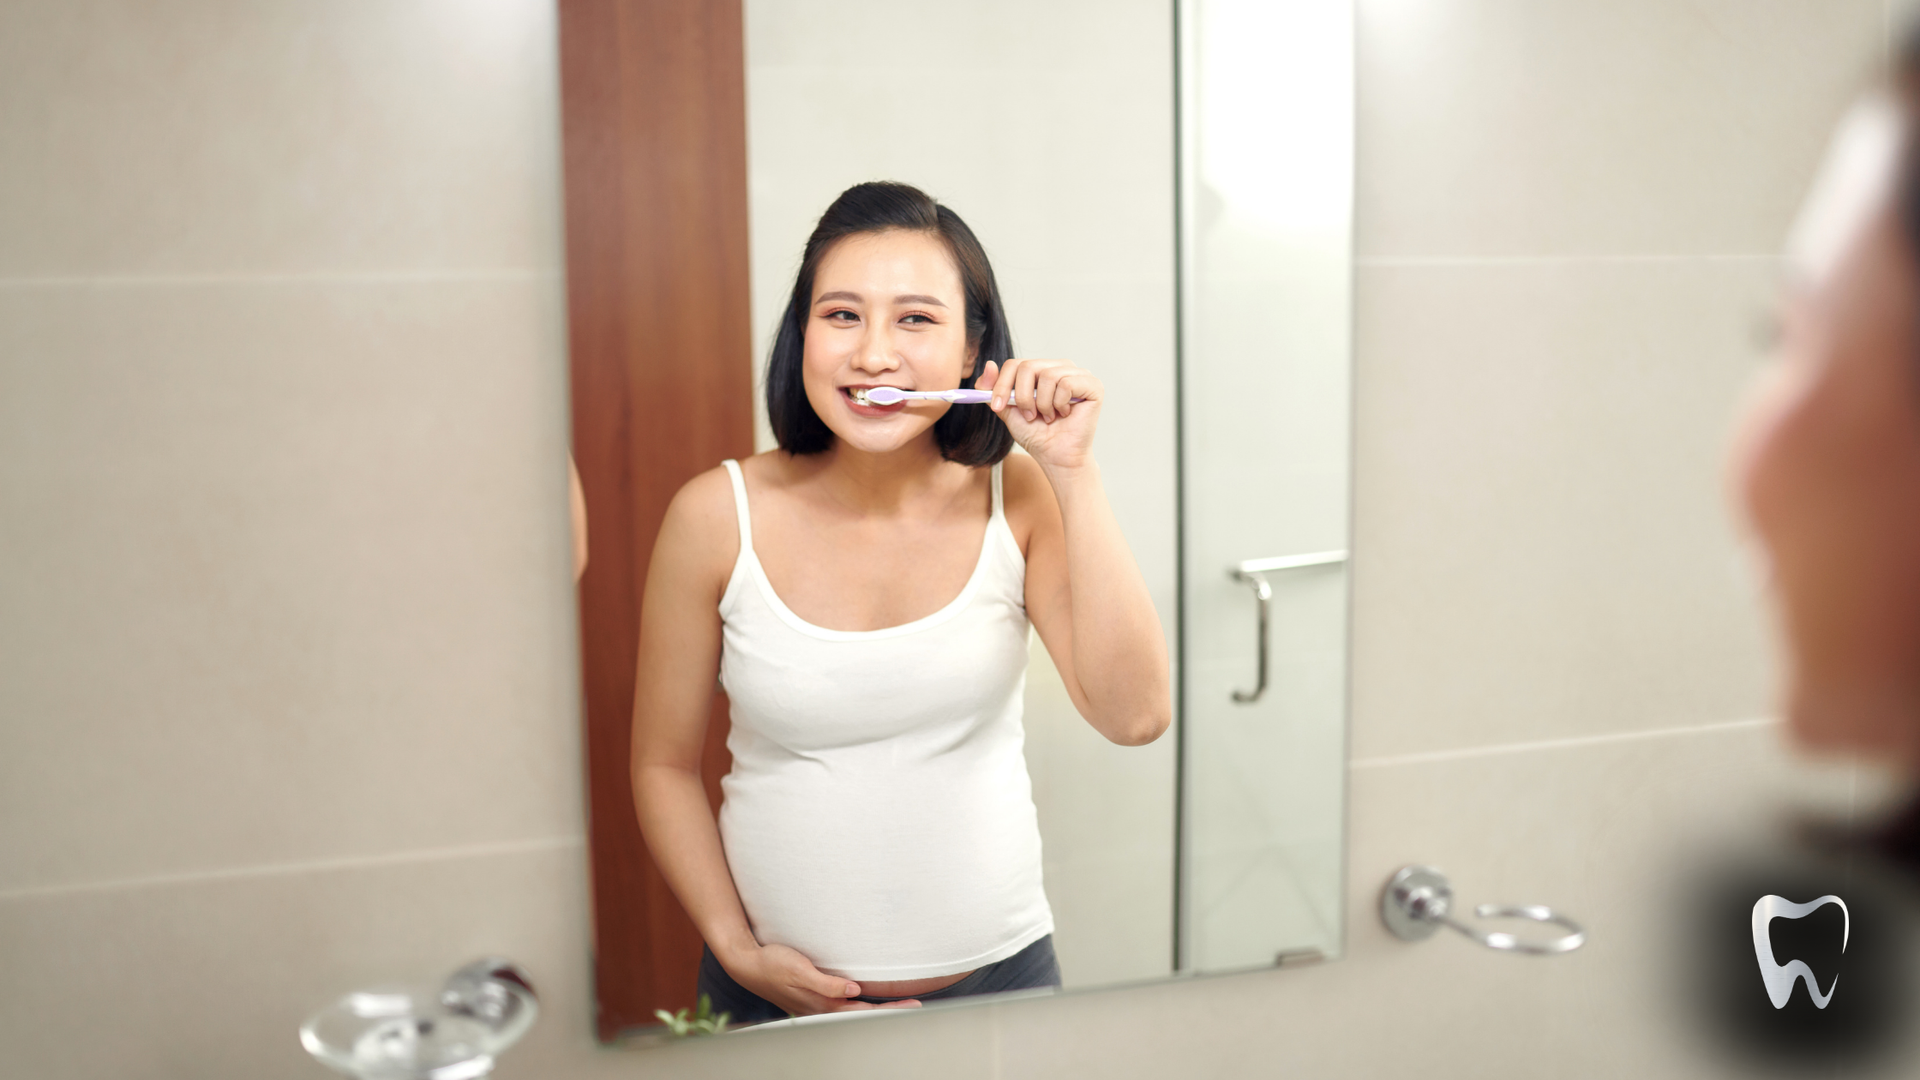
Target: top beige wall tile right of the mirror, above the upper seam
(1525, 128)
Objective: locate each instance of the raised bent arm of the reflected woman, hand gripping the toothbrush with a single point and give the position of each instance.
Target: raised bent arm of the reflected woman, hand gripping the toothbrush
(1086, 593)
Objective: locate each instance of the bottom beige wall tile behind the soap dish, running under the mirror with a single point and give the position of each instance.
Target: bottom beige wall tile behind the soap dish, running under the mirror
(214, 979)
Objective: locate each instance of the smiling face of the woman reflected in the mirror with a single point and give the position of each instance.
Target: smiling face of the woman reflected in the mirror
(888, 312)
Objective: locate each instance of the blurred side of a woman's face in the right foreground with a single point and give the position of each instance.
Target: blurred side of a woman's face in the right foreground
(1829, 460)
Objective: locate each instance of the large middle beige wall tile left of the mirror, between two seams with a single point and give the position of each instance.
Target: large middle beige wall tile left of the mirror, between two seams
(287, 574)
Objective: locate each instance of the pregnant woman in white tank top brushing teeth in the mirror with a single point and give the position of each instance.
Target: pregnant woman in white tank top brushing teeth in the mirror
(865, 599)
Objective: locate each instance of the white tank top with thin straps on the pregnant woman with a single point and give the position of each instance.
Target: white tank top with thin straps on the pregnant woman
(878, 816)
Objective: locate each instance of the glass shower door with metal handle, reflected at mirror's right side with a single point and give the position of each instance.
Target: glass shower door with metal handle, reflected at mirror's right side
(1266, 308)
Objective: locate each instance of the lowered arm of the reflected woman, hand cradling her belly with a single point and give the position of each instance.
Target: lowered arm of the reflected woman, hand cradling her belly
(673, 695)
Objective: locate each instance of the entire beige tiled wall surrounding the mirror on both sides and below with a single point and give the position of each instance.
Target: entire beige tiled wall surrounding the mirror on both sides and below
(285, 647)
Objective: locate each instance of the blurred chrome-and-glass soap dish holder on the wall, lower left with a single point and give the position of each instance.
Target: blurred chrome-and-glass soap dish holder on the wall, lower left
(448, 1033)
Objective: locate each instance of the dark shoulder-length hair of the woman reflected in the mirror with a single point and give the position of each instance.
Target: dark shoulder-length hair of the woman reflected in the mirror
(971, 437)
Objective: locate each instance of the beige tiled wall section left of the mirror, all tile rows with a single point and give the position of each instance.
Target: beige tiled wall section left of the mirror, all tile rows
(287, 643)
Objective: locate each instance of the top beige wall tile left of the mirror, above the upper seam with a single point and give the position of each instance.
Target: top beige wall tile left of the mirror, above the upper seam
(220, 137)
